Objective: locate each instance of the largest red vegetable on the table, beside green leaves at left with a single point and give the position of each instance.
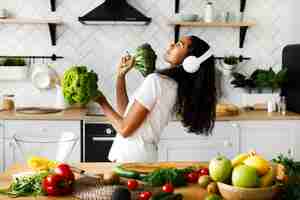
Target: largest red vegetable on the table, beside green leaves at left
(55, 185)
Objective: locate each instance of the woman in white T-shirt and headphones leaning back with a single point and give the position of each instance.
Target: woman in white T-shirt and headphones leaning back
(186, 88)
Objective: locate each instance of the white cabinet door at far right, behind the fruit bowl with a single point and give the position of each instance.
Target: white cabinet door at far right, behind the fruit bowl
(268, 138)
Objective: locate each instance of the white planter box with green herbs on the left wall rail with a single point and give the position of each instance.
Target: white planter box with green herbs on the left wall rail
(13, 69)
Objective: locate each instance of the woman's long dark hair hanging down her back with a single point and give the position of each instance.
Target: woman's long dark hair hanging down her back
(196, 95)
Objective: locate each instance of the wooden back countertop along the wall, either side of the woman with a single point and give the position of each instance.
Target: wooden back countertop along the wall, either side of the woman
(80, 114)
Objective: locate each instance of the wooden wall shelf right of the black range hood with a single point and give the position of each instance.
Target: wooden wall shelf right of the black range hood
(213, 24)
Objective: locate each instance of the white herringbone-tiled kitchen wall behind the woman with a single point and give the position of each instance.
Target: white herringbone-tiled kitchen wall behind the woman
(100, 47)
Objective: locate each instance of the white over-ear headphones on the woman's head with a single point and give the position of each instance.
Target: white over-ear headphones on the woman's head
(191, 64)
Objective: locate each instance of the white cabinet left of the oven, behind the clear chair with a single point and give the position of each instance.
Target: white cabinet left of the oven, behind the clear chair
(12, 153)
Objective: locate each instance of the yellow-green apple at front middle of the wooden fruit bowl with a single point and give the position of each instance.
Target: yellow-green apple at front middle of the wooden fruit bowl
(245, 176)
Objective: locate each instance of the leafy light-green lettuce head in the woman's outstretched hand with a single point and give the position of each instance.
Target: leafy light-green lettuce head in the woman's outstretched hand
(80, 85)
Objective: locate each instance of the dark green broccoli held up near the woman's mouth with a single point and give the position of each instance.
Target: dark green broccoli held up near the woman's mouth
(145, 59)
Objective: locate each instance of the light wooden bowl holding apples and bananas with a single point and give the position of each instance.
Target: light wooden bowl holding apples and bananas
(230, 192)
